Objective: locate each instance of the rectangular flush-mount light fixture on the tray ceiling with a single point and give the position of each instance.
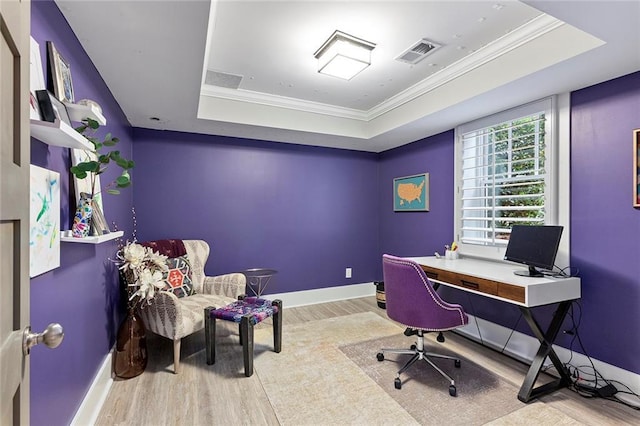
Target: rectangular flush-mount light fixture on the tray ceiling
(344, 56)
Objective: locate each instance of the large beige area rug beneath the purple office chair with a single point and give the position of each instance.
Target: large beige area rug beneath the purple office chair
(328, 374)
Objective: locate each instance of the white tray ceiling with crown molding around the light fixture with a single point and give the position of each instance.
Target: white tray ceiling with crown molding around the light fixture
(154, 56)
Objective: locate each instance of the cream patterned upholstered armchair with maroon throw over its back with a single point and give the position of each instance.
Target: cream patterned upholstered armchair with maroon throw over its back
(175, 317)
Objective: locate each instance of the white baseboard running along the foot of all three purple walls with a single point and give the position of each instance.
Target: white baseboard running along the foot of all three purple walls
(520, 346)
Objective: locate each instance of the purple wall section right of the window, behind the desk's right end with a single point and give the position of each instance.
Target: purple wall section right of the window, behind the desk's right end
(605, 233)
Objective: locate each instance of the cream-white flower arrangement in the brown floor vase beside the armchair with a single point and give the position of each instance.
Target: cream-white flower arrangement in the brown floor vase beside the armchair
(142, 269)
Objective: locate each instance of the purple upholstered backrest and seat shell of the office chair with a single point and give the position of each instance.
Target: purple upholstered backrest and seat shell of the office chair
(412, 301)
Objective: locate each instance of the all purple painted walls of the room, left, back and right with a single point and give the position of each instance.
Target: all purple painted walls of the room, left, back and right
(311, 212)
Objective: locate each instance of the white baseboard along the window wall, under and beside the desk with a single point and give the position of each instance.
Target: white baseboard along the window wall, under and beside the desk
(524, 347)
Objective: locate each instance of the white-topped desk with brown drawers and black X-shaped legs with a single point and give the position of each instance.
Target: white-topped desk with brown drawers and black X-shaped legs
(496, 280)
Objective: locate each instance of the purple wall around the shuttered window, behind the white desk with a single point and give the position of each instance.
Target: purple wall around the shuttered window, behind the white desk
(605, 227)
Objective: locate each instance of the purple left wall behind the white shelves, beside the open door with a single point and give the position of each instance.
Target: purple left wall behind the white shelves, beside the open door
(82, 294)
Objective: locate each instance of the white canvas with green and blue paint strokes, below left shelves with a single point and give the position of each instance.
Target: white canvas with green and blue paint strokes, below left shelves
(44, 221)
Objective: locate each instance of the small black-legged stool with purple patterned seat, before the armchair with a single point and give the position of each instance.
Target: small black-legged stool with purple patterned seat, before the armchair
(247, 312)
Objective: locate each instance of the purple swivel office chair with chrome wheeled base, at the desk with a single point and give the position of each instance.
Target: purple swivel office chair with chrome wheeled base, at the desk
(413, 302)
